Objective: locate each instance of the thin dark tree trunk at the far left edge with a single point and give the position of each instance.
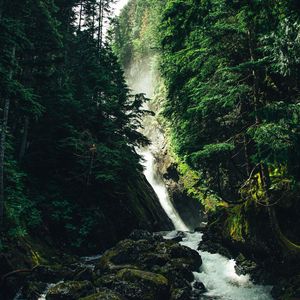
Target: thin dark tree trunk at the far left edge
(2, 143)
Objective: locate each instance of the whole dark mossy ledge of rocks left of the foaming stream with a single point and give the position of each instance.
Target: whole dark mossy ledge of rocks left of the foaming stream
(143, 267)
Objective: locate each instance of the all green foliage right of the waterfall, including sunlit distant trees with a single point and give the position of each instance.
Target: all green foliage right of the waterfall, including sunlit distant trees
(229, 91)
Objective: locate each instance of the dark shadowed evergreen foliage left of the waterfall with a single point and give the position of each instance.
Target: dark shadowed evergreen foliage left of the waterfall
(72, 122)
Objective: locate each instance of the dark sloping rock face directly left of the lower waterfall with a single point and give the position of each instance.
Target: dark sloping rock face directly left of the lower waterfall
(135, 207)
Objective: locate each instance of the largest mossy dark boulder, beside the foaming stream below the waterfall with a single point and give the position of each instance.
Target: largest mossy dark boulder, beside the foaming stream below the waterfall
(122, 267)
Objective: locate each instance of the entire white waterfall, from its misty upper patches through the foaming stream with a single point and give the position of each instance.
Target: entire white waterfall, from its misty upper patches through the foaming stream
(217, 272)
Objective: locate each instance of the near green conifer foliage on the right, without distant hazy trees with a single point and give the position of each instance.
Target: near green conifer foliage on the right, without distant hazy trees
(224, 76)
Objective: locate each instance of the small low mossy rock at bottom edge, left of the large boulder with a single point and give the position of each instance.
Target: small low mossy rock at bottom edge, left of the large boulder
(70, 290)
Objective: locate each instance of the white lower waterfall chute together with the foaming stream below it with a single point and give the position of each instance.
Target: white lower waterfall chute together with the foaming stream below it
(217, 272)
